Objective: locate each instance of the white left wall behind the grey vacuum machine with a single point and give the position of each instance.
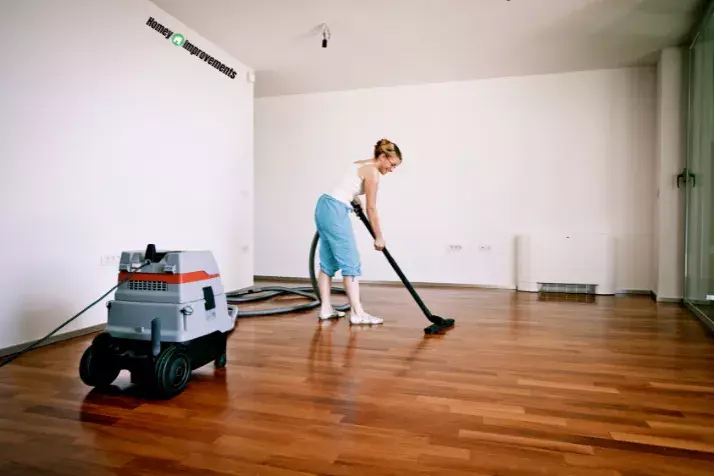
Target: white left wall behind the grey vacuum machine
(95, 102)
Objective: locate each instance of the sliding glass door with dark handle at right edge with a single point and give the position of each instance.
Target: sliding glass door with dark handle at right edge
(698, 177)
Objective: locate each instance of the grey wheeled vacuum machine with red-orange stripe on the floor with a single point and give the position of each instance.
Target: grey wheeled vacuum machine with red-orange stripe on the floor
(168, 317)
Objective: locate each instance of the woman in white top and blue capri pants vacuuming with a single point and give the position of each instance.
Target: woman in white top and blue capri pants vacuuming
(338, 247)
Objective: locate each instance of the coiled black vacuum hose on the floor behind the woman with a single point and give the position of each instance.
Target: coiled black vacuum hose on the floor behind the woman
(253, 294)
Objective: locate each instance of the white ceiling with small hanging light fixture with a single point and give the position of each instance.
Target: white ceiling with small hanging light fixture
(398, 42)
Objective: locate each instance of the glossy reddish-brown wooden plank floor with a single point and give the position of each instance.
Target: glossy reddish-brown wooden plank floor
(521, 386)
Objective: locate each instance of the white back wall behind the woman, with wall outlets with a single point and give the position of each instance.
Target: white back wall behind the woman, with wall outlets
(483, 162)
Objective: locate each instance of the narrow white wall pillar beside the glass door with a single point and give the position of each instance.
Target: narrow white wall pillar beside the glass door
(669, 201)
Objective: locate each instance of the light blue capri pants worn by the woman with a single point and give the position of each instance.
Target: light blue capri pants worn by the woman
(338, 247)
